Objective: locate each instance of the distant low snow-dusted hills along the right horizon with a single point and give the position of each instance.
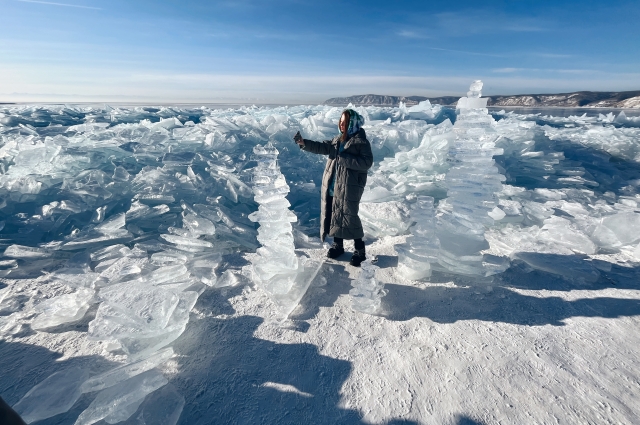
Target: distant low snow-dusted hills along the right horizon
(588, 99)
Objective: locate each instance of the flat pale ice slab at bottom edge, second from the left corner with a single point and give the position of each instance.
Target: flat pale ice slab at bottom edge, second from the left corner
(119, 402)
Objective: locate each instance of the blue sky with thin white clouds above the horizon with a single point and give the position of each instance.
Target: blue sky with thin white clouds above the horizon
(290, 51)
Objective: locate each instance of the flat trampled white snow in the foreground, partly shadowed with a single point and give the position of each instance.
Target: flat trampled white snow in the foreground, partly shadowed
(532, 348)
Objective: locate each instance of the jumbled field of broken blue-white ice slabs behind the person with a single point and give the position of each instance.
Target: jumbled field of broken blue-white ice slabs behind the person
(127, 212)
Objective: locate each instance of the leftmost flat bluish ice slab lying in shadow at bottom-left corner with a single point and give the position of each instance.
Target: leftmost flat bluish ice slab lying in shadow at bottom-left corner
(55, 395)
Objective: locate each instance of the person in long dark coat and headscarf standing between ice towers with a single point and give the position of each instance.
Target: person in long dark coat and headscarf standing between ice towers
(343, 182)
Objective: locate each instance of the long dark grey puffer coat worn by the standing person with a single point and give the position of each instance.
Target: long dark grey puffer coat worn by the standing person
(351, 167)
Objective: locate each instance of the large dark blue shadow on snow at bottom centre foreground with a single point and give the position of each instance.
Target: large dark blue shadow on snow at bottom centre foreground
(228, 376)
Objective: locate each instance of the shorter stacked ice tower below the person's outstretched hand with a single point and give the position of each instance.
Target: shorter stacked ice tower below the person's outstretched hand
(277, 269)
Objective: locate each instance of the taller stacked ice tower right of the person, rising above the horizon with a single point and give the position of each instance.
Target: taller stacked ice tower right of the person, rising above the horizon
(471, 182)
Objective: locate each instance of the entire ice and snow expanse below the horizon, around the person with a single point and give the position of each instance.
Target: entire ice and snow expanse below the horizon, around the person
(150, 255)
